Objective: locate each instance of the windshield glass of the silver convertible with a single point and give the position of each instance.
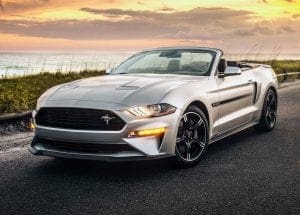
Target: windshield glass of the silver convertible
(171, 61)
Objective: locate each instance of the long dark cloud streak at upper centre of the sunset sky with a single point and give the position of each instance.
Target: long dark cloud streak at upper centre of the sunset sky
(196, 16)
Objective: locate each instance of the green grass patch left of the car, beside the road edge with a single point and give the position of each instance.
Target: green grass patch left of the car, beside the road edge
(21, 93)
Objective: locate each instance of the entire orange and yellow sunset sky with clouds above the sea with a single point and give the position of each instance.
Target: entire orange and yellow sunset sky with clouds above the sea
(244, 26)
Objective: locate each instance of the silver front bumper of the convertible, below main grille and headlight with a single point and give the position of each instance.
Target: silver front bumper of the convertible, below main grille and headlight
(139, 148)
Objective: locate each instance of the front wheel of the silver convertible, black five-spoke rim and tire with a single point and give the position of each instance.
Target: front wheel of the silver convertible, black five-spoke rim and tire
(192, 137)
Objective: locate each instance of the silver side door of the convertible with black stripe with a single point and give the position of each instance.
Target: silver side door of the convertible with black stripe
(236, 98)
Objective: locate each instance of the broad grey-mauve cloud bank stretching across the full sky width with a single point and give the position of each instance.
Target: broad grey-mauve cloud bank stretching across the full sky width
(223, 27)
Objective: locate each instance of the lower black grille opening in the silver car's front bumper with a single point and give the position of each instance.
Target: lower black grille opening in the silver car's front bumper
(83, 147)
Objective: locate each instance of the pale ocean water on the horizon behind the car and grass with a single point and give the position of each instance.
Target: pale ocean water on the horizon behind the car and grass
(25, 63)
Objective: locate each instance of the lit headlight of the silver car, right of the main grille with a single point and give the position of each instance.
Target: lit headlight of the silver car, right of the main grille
(152, 110)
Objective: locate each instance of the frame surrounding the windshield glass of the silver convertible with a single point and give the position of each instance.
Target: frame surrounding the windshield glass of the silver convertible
(192, 50)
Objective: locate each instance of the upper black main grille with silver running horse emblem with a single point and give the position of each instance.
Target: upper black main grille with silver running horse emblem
(79, 118)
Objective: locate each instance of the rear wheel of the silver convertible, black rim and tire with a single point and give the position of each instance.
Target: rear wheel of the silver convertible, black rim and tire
(269, 112)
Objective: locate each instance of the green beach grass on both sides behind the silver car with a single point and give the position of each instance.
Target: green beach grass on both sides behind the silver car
(20, 94)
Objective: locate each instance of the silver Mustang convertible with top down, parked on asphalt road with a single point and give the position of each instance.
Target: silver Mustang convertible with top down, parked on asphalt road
(158, 103)
